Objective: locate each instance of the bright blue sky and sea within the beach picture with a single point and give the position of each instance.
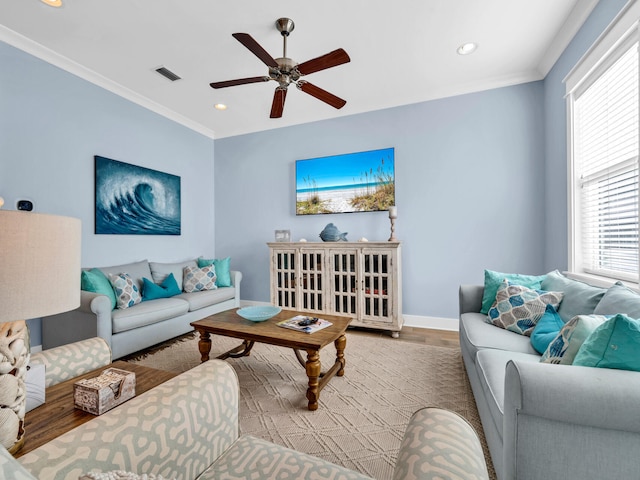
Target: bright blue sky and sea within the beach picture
(340, 171)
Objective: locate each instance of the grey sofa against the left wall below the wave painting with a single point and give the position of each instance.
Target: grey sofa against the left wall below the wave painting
(128, 330)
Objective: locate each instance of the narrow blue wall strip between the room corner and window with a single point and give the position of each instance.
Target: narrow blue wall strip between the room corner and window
(555, 120)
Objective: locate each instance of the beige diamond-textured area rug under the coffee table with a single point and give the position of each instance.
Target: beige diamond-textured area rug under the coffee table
(361, 416)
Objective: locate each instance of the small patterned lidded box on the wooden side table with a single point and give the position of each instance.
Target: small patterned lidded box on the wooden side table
(109, 389)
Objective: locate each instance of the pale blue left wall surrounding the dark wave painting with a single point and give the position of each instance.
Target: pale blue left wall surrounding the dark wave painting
(52, 123)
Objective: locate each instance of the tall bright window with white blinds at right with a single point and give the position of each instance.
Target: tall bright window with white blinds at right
(604, 145)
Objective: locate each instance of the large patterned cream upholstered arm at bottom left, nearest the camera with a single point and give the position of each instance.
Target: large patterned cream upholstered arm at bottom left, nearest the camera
(177, 430)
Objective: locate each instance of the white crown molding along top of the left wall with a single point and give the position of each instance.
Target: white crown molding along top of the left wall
(43, 53)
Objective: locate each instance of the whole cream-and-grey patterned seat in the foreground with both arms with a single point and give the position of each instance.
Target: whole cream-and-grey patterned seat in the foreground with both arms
(187, 428)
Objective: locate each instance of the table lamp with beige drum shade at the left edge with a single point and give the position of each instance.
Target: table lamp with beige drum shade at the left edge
(39, 276)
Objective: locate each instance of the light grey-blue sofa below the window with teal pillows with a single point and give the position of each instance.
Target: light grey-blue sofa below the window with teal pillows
(552, 420)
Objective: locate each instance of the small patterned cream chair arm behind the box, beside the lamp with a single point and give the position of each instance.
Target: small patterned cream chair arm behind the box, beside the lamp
(69, 361)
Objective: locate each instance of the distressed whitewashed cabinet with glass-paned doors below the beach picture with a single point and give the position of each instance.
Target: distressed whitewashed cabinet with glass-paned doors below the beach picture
(360, 280)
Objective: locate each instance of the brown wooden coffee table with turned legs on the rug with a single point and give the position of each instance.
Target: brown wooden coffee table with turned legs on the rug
(230, 324)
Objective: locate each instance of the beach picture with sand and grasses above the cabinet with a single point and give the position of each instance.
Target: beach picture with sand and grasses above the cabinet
(352, 182)
